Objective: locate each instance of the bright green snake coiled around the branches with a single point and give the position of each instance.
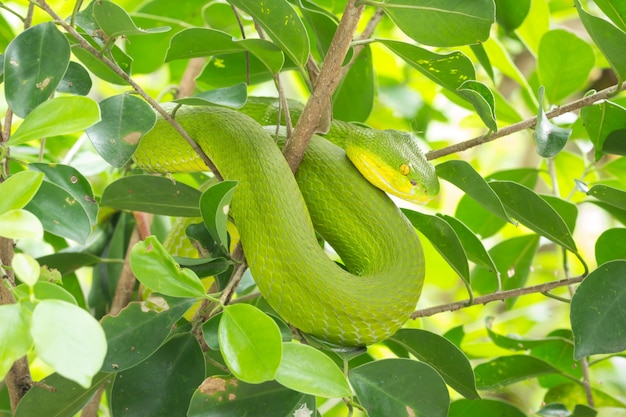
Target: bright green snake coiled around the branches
(372, 294)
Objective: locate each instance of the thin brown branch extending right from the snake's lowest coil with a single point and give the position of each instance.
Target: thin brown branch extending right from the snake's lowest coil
(496, 296)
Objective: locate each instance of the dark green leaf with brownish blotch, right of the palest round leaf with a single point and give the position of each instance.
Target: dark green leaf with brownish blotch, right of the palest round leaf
(139, 330)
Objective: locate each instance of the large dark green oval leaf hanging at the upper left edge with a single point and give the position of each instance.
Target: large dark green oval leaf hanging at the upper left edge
(34, 65)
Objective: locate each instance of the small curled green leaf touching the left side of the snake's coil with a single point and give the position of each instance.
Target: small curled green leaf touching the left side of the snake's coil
(214, 204)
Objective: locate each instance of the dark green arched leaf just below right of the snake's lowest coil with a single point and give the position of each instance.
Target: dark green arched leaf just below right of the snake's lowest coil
(447, 359)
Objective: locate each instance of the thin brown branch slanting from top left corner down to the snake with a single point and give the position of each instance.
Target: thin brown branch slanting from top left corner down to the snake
(119, 72)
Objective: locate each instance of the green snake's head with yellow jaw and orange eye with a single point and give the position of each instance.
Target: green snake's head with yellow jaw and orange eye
(392, 161)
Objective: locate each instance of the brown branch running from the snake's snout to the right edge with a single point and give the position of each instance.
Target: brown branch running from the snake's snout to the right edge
(526, 124)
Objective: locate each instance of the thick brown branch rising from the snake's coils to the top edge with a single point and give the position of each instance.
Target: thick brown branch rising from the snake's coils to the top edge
(327, 82)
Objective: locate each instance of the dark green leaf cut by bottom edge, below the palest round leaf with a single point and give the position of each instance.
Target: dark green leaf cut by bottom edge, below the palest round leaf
(67, 398)
